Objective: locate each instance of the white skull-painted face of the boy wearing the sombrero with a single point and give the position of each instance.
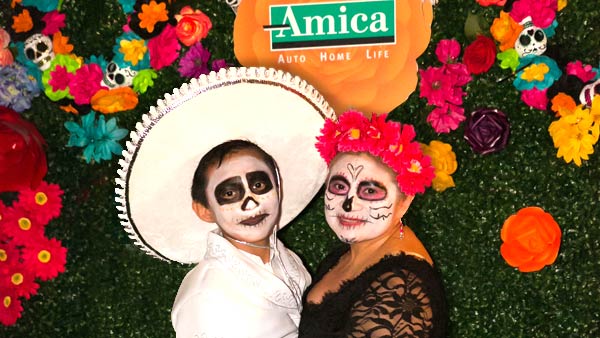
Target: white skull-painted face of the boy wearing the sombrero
(243, 198)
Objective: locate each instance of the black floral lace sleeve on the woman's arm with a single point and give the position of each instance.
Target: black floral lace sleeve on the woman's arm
(396, 304)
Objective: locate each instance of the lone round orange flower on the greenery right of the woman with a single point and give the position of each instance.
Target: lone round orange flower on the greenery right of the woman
(531, 239)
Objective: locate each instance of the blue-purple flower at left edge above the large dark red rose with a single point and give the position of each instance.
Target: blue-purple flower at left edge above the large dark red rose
(17, 89)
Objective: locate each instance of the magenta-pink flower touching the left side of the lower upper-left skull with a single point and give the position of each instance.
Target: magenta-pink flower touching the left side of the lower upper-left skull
(85, 83)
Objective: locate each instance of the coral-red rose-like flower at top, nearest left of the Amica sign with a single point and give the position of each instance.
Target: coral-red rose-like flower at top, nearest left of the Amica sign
(192, 25)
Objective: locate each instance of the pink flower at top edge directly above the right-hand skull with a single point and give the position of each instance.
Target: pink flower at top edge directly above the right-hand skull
(542, 12)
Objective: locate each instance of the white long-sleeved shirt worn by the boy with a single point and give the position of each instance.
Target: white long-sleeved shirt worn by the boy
(232, 294)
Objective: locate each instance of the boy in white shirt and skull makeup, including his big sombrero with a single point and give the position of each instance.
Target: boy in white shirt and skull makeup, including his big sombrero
(204, 182)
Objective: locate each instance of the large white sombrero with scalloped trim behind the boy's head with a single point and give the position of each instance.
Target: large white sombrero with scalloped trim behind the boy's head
(279, 112)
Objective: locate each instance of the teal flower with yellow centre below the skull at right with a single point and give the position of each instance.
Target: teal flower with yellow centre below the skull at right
(538, 72)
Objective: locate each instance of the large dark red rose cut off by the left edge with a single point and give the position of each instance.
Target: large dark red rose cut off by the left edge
(22, 156)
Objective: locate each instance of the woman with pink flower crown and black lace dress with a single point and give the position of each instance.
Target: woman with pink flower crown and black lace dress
(381, 282)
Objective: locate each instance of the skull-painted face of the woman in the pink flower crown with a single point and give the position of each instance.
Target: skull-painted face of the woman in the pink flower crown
(361, 197)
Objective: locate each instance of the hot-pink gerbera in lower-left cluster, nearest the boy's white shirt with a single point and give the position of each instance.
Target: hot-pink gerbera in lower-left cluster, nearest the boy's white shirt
(46, 258)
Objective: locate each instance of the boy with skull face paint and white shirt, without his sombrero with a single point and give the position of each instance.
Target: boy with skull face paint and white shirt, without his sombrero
(236, 186)
